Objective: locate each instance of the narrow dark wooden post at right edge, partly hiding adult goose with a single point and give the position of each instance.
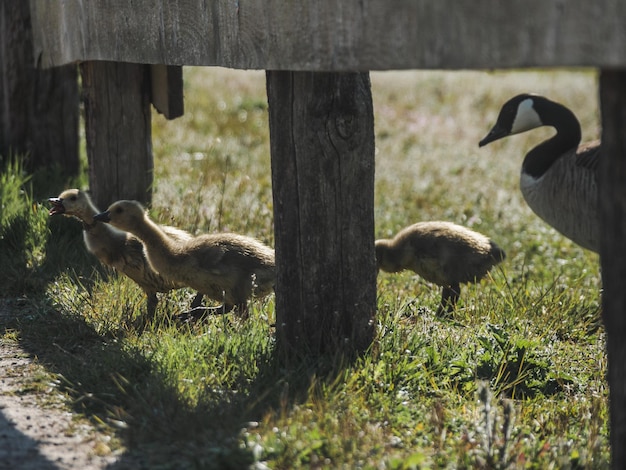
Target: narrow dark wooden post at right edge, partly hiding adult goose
(613, 250)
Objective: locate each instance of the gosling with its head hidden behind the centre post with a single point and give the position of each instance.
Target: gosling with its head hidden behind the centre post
(441, 252)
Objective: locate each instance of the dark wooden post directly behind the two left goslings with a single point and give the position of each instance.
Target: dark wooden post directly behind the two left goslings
(118, 132)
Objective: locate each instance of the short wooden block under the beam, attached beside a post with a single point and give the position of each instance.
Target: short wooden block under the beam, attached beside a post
(167, 90)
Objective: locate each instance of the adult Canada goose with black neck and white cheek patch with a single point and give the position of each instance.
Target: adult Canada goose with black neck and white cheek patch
(558, 178)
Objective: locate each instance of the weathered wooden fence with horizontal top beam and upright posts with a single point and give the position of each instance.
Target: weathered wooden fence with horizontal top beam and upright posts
(328, 47)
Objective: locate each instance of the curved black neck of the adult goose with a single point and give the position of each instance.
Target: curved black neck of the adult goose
(567, 137)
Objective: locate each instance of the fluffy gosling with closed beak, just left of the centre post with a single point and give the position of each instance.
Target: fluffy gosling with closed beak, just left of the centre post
(223, 266)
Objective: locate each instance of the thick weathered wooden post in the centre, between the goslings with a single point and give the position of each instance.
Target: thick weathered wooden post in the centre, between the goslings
(322, 147)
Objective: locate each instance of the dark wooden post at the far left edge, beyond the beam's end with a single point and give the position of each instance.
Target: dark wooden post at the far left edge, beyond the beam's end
(39, 109)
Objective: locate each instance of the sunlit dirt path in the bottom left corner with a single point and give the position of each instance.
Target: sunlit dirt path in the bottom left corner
(37, 432)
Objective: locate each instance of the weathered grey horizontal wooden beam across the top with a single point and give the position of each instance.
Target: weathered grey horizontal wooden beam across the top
(337, 35)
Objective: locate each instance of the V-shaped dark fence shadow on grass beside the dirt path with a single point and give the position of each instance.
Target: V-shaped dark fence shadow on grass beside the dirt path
(121, 388)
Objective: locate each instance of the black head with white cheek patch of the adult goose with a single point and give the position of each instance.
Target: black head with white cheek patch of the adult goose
(517, 115)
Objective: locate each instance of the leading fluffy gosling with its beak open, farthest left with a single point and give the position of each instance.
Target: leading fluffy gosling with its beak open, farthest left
(115, 248)
